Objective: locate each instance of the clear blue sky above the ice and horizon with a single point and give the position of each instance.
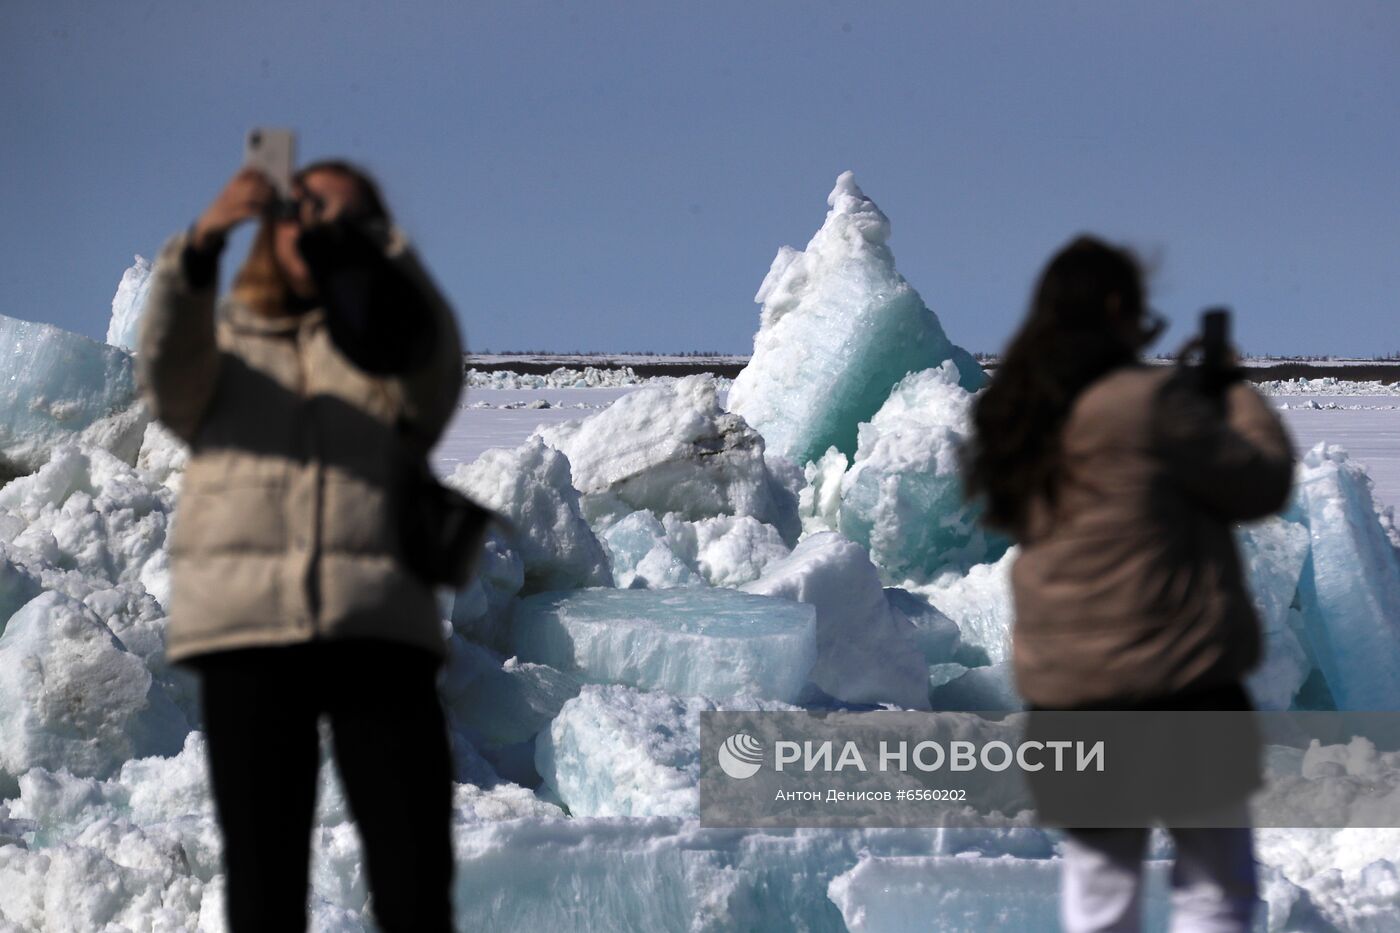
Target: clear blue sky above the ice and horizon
(618, 176)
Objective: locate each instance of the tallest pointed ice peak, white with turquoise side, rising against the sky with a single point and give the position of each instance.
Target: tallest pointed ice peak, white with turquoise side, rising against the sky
(839, 329)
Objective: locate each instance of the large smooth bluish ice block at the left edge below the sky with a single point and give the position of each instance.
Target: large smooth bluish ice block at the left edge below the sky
(59, 386)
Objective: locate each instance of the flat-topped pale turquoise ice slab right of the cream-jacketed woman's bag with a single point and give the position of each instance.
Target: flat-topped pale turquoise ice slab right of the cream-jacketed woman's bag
(696, 642)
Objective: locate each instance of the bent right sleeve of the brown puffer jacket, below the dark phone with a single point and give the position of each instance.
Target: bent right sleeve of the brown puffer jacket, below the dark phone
(1231, 455)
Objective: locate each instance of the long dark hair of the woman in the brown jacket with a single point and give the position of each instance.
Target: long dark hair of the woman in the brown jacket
(1066, 343)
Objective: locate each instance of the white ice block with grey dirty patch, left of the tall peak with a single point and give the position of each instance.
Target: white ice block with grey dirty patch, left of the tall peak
(671, 449)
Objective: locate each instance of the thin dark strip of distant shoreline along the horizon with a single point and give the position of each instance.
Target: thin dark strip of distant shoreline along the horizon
(729, 366)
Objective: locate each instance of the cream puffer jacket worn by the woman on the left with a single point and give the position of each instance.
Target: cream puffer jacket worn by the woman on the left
(285, 530)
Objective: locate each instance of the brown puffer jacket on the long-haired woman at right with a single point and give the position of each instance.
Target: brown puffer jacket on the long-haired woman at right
(1132, 588)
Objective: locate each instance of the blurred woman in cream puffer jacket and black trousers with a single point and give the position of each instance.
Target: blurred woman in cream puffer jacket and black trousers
(299, 397)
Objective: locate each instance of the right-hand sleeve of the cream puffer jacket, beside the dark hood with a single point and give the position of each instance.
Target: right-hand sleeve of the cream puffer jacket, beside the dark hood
(430, 392)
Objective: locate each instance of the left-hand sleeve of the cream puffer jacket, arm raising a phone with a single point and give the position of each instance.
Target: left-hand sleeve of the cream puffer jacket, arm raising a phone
(178, 357)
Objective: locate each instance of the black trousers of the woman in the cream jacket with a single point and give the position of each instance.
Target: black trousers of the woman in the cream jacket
(391, 749)
